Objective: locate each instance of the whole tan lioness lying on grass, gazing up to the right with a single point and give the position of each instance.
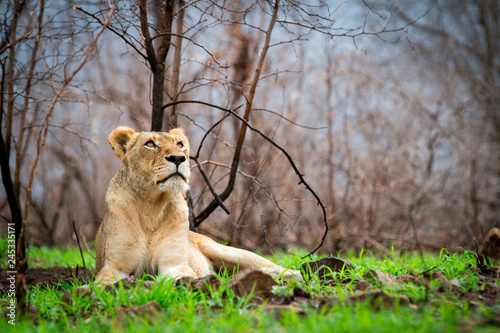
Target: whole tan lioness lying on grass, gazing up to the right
(145, 227)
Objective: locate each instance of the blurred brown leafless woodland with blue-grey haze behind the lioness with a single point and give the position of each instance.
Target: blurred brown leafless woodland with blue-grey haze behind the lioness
(390, 110)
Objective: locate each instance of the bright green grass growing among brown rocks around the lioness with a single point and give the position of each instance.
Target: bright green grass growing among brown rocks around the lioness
(186, 309)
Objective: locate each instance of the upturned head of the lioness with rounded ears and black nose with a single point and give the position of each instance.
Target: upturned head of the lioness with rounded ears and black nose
(154, 161)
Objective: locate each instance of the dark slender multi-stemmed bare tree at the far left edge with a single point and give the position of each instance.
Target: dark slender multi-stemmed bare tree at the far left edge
(78, 60)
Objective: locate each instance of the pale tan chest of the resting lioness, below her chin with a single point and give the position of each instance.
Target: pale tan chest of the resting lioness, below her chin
(139, 237)
